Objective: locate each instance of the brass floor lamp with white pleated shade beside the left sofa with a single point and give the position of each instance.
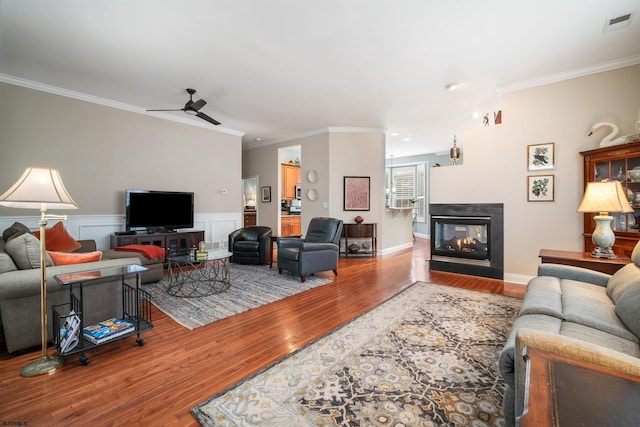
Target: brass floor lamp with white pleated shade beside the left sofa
(40, 188)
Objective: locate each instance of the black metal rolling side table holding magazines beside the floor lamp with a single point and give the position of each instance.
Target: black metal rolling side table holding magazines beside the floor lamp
(136, 305)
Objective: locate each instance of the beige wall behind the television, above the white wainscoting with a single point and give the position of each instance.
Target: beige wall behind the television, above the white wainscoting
(101, 151)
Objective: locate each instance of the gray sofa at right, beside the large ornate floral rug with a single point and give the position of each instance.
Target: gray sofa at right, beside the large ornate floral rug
(578, 313)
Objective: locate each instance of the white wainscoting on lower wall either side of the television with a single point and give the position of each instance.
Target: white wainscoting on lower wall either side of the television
(216, 226)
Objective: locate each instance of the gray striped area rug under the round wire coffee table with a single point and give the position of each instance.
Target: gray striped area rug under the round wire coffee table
(251, 286)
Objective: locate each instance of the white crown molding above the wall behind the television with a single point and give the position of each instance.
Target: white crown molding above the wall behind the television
(16, 81)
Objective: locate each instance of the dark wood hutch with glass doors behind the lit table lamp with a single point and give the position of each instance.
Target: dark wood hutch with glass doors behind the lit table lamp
(614, 163)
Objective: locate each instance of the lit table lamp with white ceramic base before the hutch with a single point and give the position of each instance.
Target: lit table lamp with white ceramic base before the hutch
(603, 197)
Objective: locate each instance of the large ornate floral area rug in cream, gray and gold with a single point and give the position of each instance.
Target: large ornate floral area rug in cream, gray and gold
(426, 357)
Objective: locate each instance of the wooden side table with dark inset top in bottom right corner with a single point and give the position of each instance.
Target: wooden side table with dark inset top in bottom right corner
(566, 392)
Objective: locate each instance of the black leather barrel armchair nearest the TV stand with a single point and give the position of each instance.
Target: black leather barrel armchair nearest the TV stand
(250, 245)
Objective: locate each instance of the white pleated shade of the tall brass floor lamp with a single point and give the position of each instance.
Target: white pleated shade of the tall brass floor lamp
(38, 188)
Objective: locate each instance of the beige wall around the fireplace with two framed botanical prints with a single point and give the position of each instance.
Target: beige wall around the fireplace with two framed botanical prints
(495, 160)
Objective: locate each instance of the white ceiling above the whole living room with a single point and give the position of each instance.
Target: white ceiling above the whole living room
(277, 69)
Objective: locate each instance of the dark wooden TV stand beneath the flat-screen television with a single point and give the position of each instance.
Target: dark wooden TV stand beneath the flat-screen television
(173, 242)
